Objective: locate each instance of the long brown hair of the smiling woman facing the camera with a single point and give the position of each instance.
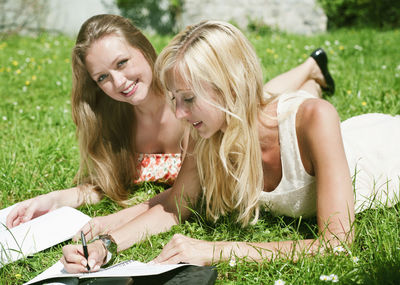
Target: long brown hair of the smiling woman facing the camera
(105, 127)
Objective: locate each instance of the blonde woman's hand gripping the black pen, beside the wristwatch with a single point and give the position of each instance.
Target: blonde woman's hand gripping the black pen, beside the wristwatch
(75, 262)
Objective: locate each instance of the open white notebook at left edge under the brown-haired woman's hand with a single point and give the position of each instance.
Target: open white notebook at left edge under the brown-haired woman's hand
(38, 234)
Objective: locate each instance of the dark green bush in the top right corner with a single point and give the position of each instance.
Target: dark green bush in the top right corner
(362, 13)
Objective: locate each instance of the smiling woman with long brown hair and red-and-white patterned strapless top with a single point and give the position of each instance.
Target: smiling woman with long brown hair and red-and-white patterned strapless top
(127, 132)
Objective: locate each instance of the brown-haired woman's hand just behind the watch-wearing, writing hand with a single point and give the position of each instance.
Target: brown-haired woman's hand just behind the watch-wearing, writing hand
(96, 226)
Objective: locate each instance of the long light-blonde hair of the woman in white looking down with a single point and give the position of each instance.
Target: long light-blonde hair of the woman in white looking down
(229, 163)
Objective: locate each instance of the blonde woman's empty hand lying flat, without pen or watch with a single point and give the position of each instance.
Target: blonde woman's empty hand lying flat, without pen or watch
(188, 250)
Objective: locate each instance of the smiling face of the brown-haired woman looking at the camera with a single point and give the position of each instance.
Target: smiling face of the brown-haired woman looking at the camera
(119, 69)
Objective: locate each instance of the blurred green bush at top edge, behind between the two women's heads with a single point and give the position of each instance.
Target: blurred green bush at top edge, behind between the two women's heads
(154, 14)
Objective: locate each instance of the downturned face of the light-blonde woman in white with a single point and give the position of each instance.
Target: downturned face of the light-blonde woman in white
(203, 116)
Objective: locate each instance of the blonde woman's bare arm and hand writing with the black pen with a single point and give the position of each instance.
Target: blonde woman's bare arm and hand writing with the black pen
(159, 215)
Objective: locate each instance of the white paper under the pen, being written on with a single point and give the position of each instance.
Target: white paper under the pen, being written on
(124, 269)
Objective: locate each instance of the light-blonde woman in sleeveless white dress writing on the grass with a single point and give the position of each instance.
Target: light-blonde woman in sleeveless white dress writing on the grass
(250, 150)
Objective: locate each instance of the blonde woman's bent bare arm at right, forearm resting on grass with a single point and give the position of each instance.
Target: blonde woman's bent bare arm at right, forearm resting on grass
(322, 152)
